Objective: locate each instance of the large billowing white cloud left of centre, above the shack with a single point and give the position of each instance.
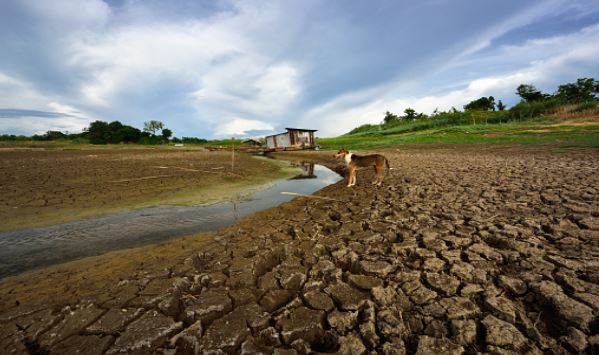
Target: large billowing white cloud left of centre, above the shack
(217, 59)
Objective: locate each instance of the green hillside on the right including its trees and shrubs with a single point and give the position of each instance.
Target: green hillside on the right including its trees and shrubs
(482, 116)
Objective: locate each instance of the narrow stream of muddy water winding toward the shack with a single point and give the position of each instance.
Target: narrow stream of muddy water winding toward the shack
(33, 248)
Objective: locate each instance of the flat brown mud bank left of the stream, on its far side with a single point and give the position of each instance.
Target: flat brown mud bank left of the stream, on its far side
(41, 187)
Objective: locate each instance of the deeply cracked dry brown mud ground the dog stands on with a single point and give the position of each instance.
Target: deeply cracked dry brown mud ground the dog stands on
(462, 250)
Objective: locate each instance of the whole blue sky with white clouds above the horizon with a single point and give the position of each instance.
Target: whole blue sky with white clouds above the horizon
(221, 68)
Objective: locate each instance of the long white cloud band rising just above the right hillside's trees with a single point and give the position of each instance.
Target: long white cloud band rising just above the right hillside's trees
(543, 62)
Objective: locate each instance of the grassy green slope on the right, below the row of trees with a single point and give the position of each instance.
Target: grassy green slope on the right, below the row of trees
(563, 126)
